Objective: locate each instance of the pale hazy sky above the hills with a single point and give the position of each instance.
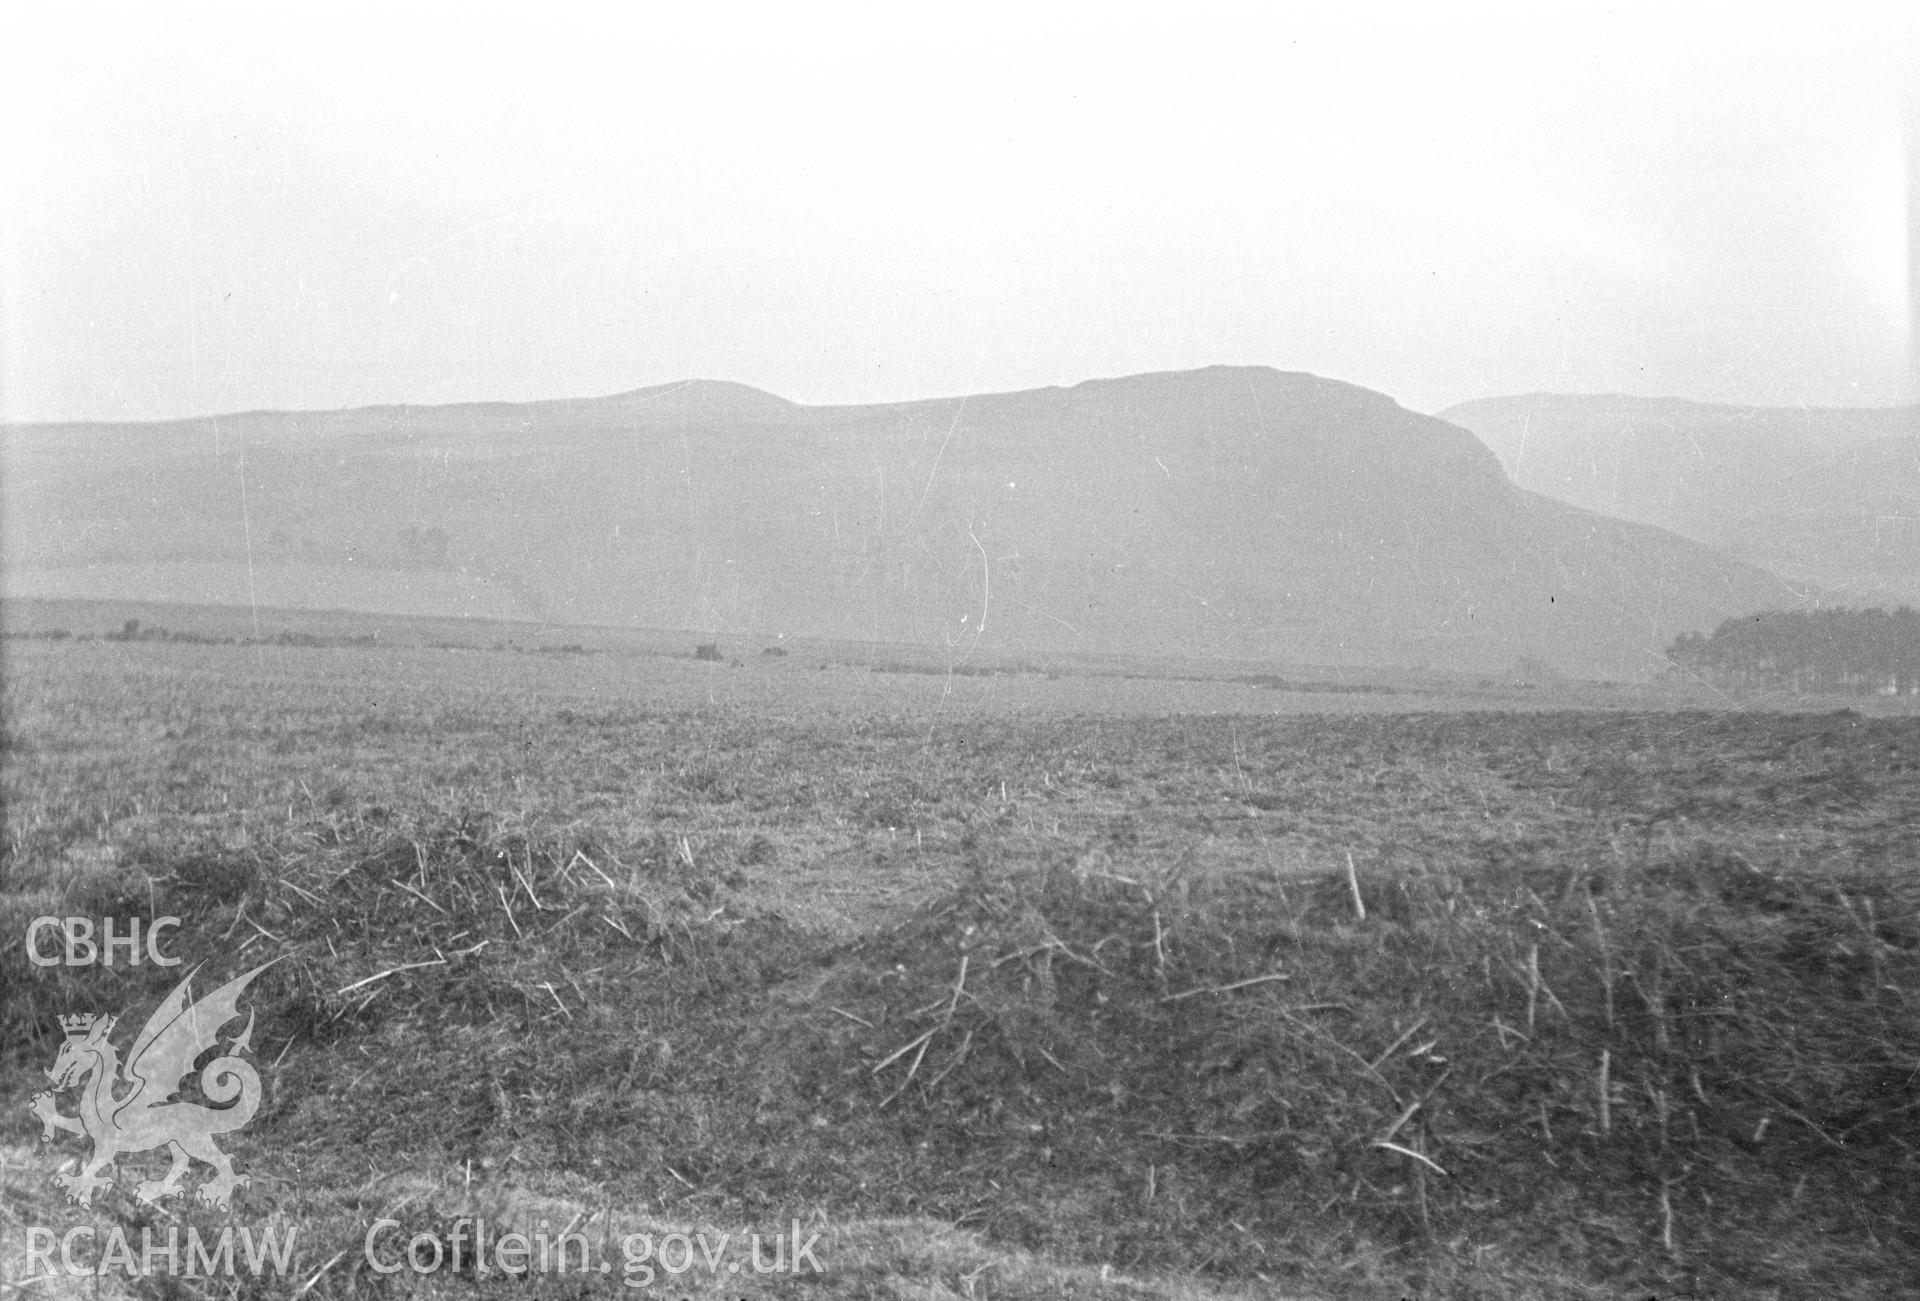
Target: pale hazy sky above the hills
(228, 208)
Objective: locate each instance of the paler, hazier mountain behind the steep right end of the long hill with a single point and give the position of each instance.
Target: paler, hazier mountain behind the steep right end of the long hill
(1823, 496)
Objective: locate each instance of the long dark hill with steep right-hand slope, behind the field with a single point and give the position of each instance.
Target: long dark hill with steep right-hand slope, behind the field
(1214, 513)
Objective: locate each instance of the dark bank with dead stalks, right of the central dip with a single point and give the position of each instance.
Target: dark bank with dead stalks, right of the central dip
(1700, 1076)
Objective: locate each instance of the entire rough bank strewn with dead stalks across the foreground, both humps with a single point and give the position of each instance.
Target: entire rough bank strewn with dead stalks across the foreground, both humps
(1704, 1068)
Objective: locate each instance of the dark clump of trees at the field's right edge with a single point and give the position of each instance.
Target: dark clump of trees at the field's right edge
(1858, 651)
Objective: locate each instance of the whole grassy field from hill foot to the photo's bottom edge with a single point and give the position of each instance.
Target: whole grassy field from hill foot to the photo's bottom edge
(1007, 985)
